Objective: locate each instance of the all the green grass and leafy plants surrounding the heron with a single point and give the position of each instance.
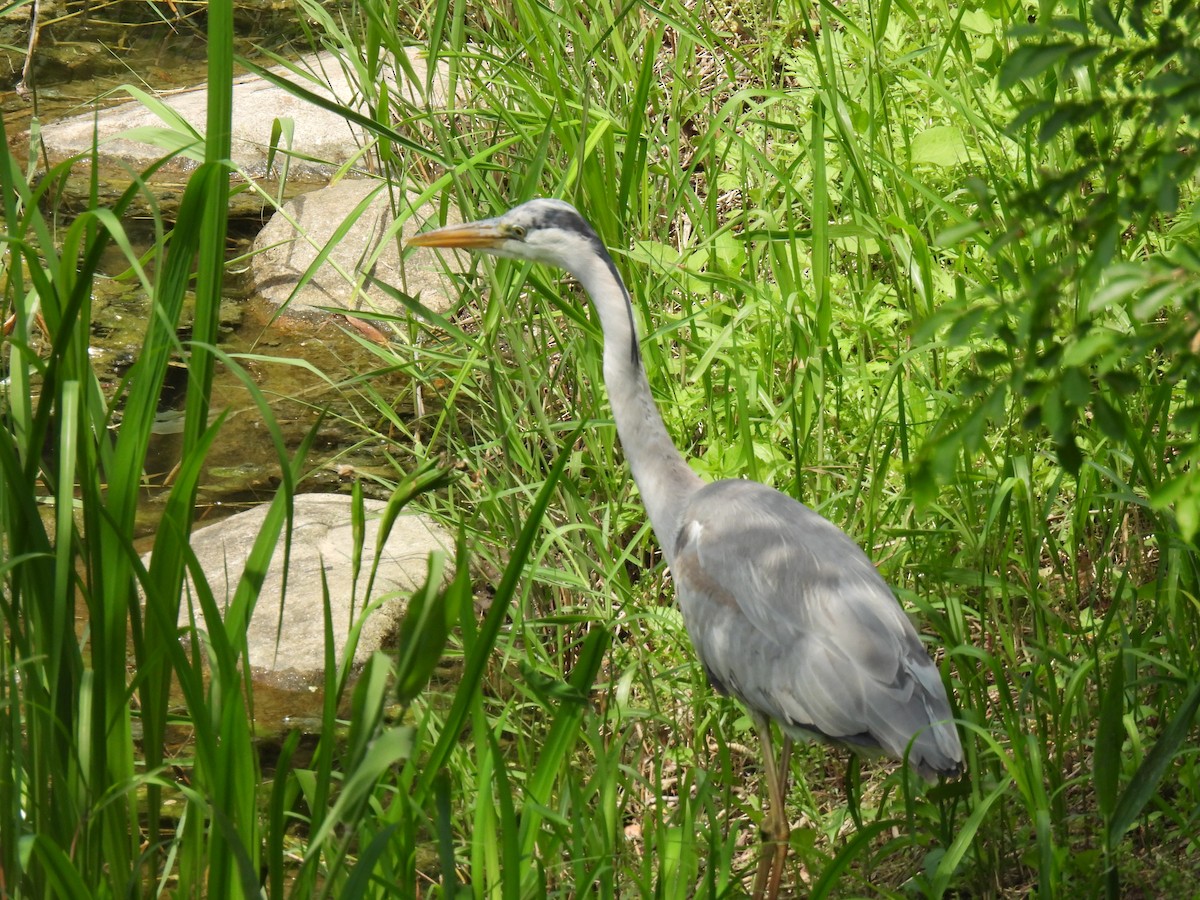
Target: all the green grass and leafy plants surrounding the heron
(932, 269)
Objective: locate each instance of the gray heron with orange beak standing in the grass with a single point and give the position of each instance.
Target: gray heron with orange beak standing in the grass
(787, 613)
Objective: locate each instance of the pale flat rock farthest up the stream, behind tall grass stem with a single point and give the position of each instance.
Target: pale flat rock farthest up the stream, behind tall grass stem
(131, 135)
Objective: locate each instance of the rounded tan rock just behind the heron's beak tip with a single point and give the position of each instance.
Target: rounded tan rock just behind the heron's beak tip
(298, 233)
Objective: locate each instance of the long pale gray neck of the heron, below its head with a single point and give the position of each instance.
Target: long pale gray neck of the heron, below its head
(663, 477)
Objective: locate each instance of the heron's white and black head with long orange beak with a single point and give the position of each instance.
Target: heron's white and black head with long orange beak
(543, 231)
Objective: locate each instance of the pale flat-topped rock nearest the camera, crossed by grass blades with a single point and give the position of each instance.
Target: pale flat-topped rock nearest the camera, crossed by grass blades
(286, 638)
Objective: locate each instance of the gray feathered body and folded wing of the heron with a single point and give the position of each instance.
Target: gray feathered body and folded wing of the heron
(790, 616)
